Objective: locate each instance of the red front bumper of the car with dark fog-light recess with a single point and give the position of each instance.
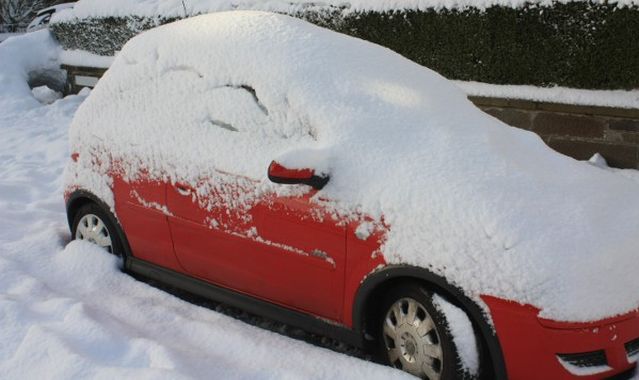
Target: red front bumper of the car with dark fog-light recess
(535, 348)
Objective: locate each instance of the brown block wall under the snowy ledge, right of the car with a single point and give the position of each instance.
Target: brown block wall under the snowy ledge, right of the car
(577, 131)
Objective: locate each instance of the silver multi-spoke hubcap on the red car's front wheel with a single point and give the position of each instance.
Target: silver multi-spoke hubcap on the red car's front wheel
(411, 340)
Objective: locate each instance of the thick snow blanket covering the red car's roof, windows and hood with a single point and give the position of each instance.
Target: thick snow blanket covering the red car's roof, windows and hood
(490, 207)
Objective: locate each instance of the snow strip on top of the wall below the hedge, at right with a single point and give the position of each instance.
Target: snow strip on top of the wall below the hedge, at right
(564, 95)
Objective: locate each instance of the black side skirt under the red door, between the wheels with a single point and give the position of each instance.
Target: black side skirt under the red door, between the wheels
(242, 301)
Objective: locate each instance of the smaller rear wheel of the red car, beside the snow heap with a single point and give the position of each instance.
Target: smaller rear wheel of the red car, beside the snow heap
(98, 226)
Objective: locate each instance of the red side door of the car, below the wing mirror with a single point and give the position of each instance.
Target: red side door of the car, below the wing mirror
(284, 249)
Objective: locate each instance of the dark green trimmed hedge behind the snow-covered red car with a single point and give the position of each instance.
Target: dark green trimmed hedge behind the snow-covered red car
(575, 44)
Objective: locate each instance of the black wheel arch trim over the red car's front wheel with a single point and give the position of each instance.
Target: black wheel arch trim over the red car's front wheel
(380, 281)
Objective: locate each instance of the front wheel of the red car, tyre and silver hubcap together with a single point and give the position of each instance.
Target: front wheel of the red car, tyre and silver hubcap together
(414, 336)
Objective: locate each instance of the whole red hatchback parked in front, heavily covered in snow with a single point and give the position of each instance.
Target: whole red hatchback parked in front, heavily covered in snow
(330, 183)
